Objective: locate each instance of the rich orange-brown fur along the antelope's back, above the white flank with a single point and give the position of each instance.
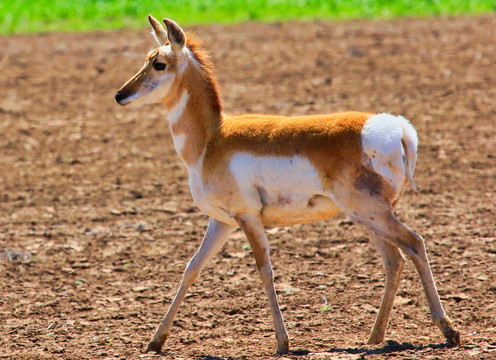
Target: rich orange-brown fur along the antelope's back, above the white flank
(328, 141)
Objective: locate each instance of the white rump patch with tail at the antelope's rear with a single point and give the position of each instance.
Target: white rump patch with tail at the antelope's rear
(382, 137)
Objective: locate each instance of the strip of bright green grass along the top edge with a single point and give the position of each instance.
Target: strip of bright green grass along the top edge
(27, 16)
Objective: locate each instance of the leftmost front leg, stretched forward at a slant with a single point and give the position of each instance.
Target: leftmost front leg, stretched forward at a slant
(216, 233)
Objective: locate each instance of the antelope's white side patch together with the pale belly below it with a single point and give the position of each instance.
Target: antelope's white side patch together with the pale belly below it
(286, 190)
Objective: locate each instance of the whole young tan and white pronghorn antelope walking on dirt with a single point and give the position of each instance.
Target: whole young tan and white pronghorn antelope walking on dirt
(252, 171)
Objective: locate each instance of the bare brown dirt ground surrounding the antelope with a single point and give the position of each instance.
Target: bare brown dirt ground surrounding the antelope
(97, 223)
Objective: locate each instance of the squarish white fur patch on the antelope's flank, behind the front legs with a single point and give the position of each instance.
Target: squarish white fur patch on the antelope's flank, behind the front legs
(272, 181)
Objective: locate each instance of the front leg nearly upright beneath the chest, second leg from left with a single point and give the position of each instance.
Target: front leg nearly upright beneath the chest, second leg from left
(254, 231)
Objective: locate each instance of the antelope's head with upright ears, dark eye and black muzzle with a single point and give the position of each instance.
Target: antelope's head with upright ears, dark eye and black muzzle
(162, 67)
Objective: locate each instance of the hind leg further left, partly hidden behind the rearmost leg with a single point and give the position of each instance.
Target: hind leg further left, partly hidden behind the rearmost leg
(393, 263)
